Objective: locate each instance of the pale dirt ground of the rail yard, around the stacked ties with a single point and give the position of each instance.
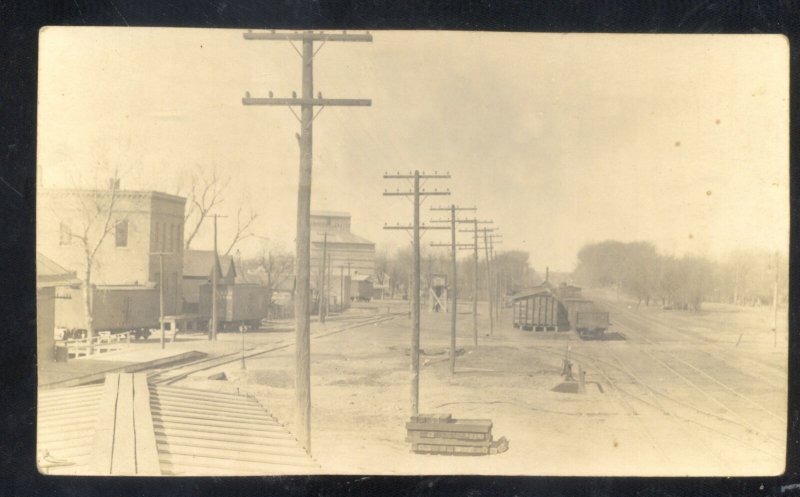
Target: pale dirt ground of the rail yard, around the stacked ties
(667, 393)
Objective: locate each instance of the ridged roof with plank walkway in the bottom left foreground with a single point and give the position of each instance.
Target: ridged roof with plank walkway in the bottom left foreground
(129, 427)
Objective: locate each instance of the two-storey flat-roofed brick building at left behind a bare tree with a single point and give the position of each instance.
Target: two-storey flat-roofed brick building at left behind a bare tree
(141, 224)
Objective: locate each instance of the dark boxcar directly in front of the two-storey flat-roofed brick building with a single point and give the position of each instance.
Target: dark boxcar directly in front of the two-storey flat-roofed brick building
(115, 309)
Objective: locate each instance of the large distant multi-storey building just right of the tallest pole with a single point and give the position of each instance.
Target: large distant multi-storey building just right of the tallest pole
(348, 253)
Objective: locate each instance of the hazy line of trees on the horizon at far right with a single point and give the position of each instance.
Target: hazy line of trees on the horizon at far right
(743, 277)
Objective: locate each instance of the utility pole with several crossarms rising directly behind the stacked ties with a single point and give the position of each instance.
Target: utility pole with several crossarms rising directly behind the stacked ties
(417, 193)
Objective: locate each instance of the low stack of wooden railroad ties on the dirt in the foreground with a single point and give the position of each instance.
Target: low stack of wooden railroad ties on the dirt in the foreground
(441, 434)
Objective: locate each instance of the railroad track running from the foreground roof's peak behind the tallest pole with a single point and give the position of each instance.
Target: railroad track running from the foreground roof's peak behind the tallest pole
(170, 375)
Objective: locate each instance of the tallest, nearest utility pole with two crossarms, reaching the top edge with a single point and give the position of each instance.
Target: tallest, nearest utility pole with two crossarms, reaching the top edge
(307, 102)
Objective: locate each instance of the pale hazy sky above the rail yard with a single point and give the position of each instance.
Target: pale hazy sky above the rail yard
(561, 139)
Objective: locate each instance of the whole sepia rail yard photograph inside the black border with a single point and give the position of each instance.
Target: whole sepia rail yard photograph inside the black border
(275, 252)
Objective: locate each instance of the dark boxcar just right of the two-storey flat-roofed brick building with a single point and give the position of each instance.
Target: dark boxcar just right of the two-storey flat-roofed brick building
(240, 304)
